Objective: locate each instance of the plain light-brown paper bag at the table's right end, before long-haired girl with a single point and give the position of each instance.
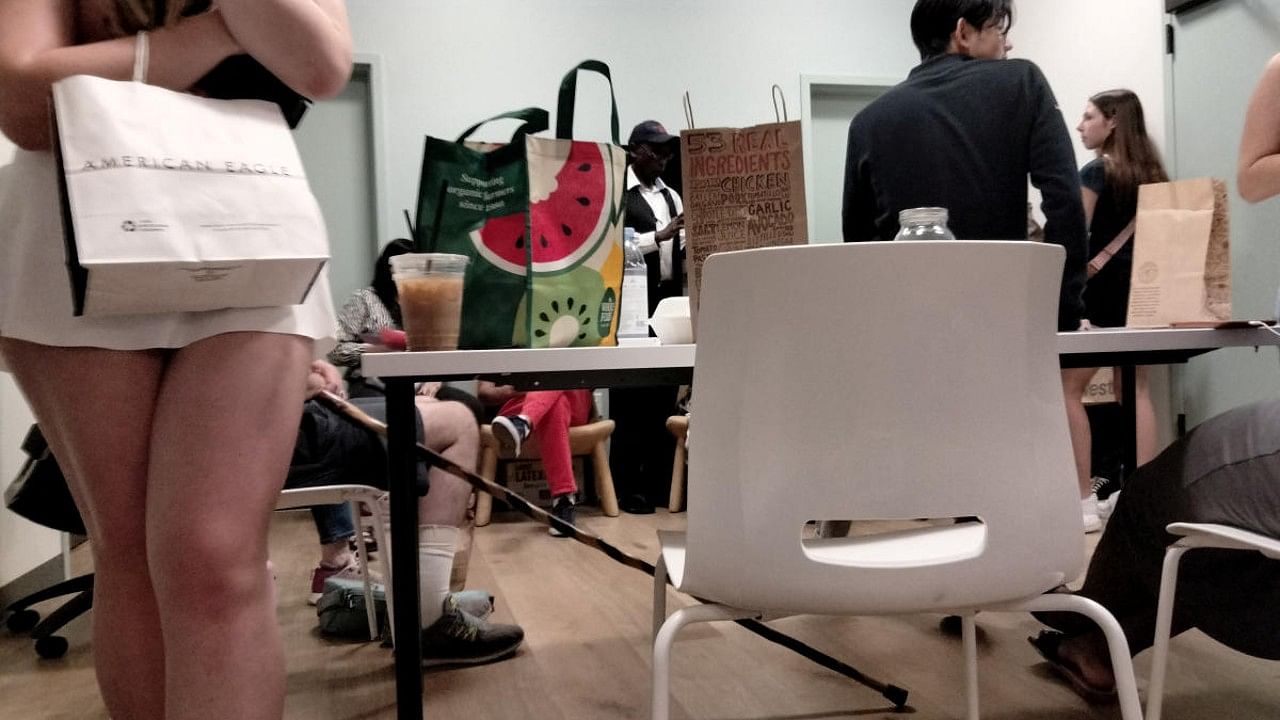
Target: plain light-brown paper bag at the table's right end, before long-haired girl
(1182, 256)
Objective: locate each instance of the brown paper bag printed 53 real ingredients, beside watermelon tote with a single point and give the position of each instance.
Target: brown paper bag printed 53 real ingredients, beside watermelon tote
(743, 189)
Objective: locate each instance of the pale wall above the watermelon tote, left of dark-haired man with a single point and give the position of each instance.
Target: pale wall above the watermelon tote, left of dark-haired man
(451, 63)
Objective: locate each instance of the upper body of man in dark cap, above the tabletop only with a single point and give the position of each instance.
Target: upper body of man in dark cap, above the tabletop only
(655, 211)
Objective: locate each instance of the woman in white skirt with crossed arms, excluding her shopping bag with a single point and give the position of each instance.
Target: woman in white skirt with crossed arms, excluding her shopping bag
(175, 430)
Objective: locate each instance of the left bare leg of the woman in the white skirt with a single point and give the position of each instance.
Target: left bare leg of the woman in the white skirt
(97, 411)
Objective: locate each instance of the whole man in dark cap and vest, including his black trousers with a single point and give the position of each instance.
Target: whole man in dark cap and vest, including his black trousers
(642, 450)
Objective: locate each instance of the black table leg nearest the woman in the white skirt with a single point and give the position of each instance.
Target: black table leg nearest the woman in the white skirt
(401, 431)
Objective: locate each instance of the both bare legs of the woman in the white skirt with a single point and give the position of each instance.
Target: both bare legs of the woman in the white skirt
(176, 461)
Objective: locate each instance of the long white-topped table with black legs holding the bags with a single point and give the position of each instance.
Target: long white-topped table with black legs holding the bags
(652, 366)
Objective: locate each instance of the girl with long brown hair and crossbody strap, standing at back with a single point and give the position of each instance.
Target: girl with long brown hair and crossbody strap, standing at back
(1116, 130)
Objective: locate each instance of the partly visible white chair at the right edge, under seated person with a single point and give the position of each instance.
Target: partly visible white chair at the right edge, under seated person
(1195, 535)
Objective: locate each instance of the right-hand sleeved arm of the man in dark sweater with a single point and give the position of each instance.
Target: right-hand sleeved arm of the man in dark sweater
(1053, 171)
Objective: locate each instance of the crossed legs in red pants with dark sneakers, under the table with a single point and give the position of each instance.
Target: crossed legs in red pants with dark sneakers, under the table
(548, 416)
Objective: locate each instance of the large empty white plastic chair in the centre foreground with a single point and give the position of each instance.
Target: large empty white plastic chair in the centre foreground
(885, 381)
